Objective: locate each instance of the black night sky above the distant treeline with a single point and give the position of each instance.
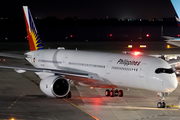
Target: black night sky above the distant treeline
(89, 9)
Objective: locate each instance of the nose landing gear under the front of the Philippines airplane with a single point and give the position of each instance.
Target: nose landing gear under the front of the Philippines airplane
(161, 103)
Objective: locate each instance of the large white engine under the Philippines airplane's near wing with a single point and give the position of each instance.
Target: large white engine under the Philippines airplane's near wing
(55, 86)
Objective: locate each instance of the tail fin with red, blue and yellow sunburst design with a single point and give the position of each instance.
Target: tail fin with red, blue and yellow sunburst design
(35, 43)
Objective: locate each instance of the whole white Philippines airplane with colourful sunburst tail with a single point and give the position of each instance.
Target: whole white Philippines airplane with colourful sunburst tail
(56, 67)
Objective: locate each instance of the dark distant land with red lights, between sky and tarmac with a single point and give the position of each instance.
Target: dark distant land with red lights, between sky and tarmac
(79, 30)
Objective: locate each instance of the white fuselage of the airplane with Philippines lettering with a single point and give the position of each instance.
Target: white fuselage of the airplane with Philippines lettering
(120, 70)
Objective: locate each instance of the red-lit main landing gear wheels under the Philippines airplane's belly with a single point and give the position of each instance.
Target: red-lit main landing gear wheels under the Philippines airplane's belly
(114, 92)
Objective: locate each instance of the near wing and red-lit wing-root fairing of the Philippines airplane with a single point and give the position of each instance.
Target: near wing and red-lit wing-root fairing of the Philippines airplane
(78, 76)
